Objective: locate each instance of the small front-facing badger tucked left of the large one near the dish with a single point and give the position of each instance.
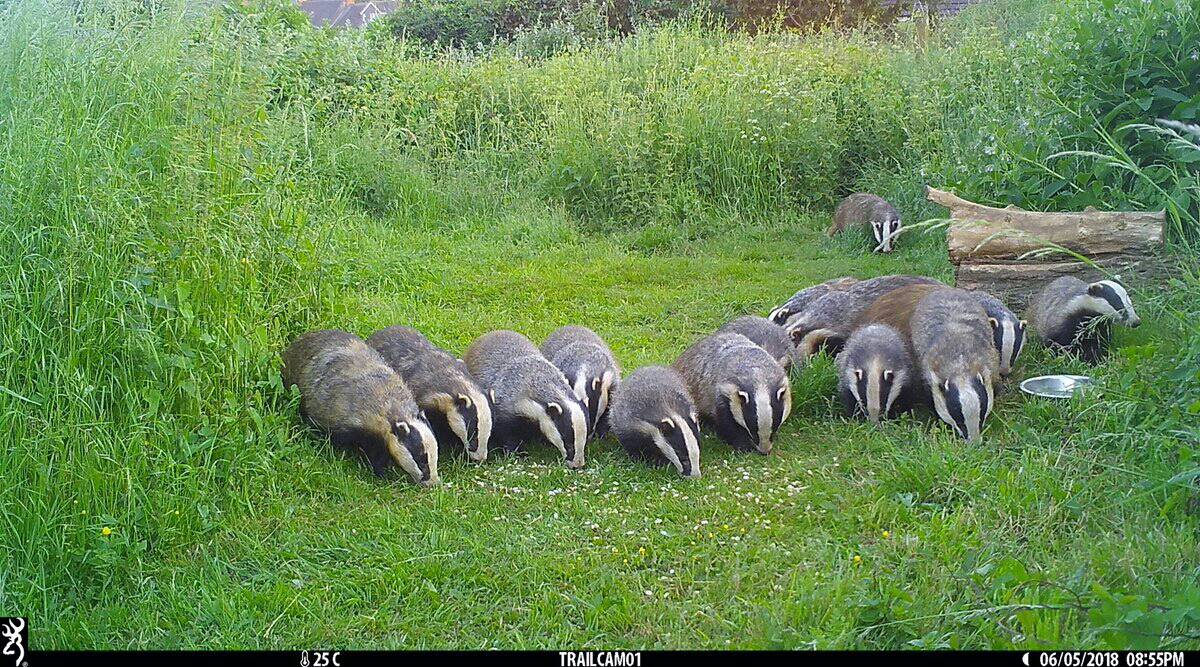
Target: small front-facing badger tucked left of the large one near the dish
(877, 376)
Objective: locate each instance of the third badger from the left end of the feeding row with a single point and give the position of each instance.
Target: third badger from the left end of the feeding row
(532, 396)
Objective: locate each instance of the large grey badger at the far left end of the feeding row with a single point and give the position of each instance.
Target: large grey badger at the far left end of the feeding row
(349, 390)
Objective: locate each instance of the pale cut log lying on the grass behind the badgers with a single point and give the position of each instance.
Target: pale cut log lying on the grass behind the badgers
(1001, 250)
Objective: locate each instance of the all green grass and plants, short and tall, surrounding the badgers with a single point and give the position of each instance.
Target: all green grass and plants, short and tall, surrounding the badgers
(184, 191)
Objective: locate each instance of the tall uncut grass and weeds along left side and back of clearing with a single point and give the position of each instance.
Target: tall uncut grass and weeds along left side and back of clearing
(173, 182)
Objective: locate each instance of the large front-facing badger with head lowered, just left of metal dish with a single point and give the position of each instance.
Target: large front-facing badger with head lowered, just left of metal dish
(952, 345)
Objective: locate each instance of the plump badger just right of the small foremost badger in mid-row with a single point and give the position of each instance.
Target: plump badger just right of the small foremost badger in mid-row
(740, 389)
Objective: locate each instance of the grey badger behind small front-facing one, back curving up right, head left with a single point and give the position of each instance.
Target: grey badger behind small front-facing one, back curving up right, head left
(829, 321)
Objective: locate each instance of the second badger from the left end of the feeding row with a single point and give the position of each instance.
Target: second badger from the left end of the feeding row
(458, 408)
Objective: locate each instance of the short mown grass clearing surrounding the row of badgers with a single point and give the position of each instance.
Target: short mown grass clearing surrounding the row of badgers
(847, 536)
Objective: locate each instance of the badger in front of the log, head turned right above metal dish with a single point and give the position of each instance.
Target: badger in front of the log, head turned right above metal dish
(1073, 316)
